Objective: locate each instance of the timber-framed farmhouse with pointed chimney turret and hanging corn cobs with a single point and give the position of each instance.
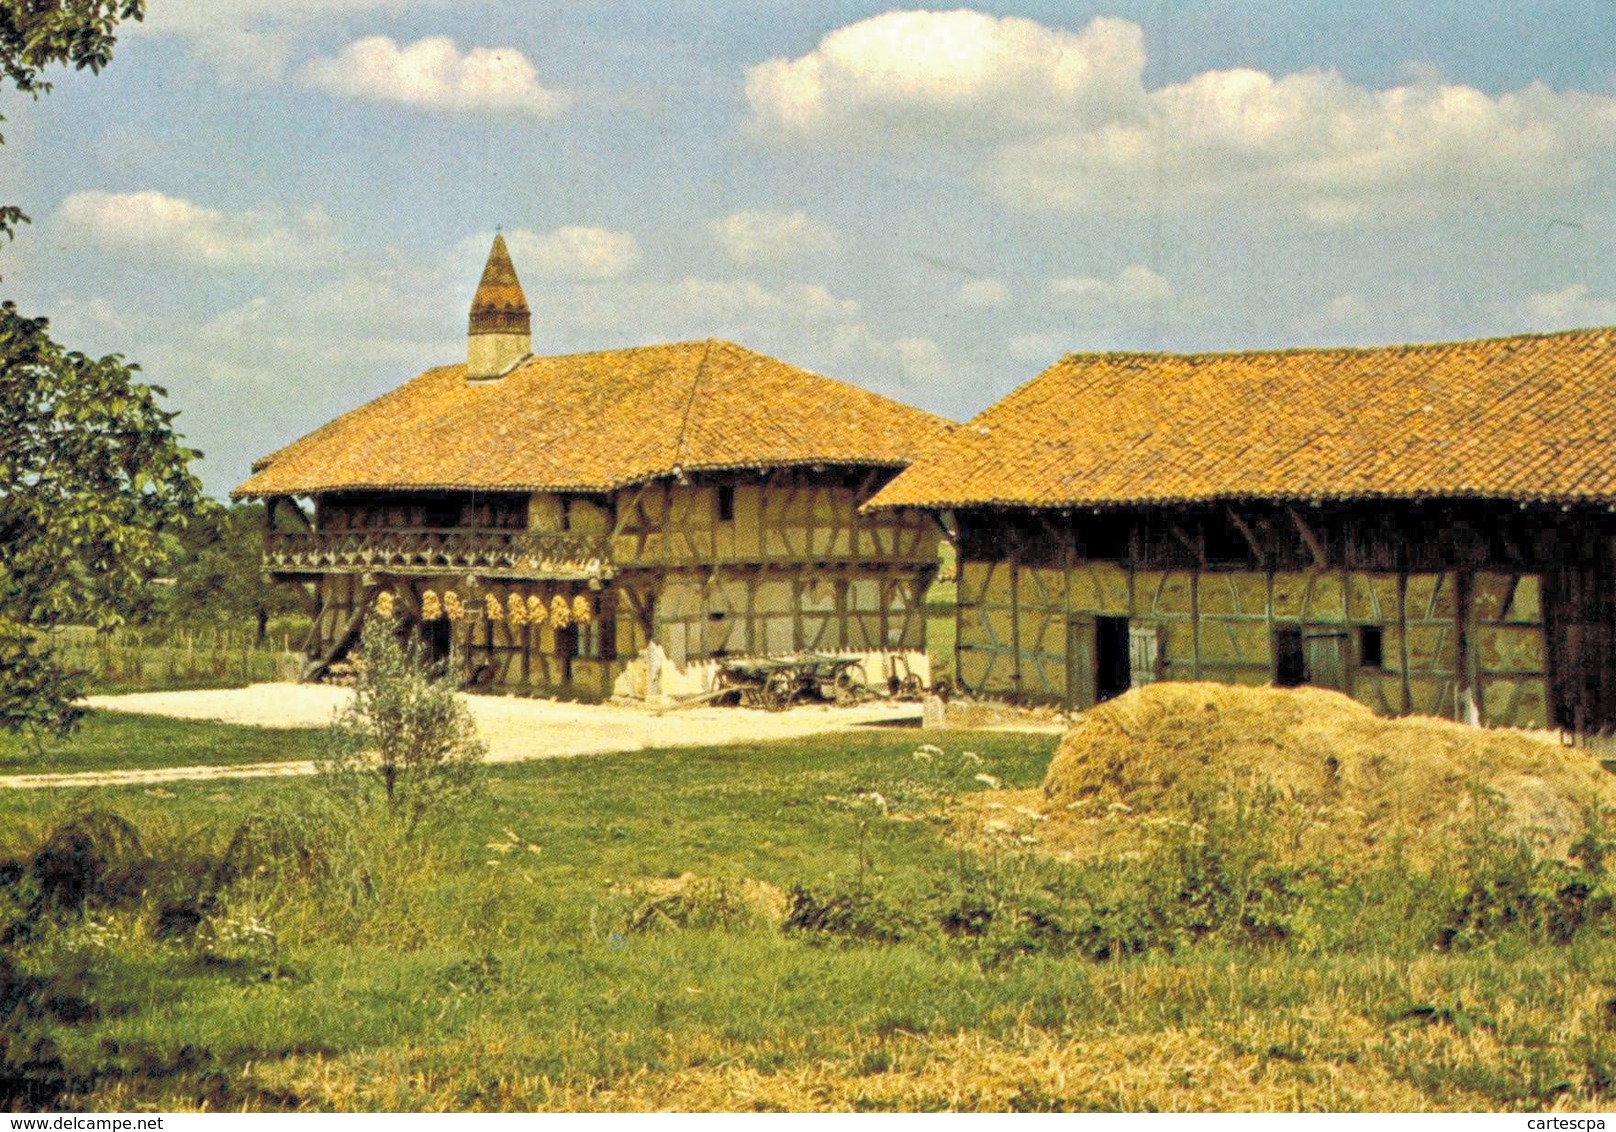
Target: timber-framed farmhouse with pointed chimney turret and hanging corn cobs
(607, 523)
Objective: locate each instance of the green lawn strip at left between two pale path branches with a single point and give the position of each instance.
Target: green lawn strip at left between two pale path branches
(127, 741)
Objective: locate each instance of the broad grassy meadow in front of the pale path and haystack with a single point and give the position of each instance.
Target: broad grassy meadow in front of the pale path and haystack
(523, 957)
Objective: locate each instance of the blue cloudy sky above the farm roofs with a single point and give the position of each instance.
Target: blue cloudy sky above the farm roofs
(280, 208)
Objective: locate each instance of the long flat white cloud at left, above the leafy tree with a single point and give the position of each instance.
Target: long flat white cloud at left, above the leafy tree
(174, 229)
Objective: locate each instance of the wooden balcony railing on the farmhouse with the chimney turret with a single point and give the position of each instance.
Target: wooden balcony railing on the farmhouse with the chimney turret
(490, 554)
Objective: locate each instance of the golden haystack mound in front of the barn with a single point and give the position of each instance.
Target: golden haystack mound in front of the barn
(1345, 780)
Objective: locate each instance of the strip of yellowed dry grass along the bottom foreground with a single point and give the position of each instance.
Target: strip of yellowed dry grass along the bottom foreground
(1371, 1036)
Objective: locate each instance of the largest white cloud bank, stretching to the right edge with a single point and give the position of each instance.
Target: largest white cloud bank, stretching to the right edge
(1053, 119)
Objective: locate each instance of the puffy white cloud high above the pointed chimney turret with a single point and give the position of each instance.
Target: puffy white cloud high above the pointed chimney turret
(434, 75)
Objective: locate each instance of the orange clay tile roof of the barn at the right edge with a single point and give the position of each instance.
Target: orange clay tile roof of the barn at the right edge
(1531, 418)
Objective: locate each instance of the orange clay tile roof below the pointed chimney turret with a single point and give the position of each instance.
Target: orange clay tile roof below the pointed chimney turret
(594, 423)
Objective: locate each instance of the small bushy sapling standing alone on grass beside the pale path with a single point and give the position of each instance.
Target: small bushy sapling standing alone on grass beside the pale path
(405, 733)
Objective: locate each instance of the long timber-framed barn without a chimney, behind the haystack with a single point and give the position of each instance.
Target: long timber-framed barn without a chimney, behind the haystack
(1425, 528)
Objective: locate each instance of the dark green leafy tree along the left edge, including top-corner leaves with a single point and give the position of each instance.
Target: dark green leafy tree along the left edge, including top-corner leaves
(91, 470)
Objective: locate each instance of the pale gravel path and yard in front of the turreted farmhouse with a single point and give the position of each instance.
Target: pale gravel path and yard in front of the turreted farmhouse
(513, 729)
